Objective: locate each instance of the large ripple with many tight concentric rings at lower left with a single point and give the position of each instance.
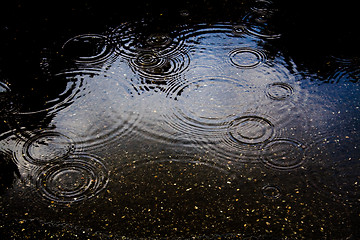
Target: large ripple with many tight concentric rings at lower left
(75, 179)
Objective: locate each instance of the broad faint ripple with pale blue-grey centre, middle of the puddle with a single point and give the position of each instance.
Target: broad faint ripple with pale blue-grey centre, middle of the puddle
(204, 105)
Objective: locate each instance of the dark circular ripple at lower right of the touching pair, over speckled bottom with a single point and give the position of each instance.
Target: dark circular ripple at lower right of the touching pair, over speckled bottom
(284, 154)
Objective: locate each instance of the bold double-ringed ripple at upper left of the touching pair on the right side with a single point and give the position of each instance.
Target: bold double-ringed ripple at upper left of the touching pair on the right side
(251, 129)
